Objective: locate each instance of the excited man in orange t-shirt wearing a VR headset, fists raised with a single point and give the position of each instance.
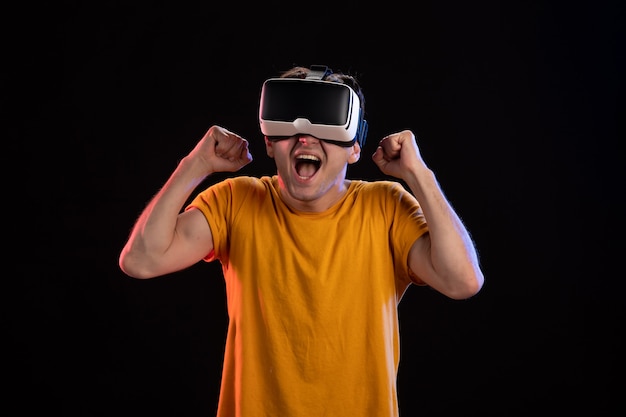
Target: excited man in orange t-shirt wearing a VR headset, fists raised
(315, 264)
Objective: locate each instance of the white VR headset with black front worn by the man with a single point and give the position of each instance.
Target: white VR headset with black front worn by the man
(330, 111)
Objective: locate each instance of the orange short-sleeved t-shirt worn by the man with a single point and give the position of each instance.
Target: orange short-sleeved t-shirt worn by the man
(312, 297)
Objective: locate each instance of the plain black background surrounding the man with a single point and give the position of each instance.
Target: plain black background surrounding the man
(517, 107)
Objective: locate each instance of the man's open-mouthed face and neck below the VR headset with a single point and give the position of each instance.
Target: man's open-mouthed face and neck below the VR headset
(311, 172)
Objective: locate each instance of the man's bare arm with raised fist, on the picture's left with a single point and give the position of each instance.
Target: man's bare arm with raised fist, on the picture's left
(163, 239)
